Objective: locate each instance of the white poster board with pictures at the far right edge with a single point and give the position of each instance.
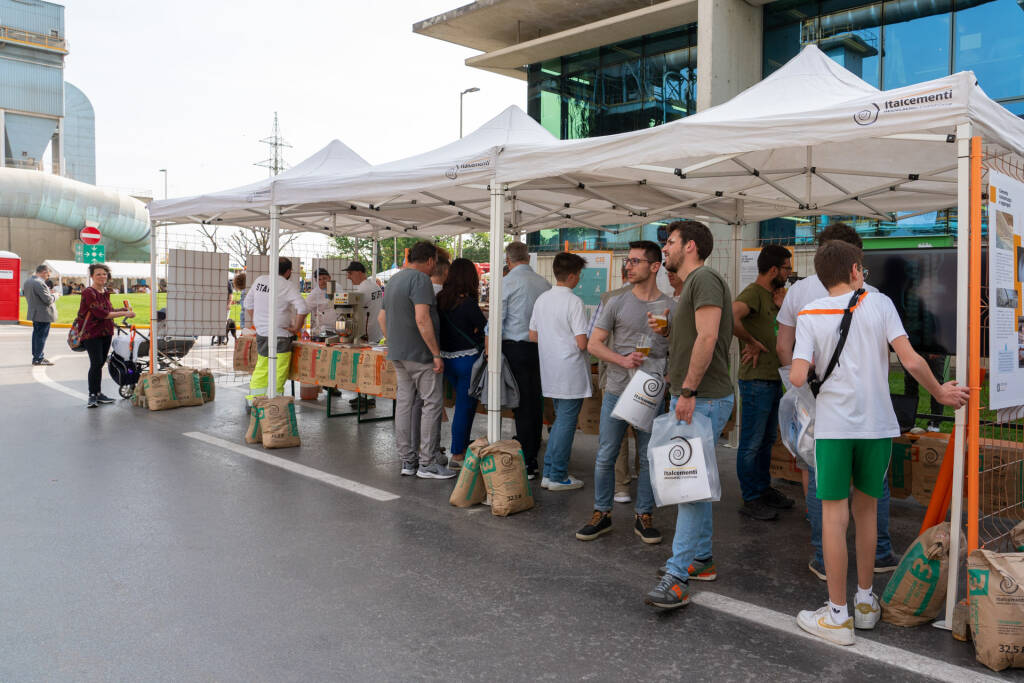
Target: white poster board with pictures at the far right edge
(1006, 272)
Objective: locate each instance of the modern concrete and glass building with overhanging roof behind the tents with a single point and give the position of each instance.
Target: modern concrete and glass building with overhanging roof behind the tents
(602, 67)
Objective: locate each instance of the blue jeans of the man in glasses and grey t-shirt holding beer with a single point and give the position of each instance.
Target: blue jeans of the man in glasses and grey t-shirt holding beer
(611, 437)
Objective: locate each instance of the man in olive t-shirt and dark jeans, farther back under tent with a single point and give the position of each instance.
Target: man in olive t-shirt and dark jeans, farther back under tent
(760, 389)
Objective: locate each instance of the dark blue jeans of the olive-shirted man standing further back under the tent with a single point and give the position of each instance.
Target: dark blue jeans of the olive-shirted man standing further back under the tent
(758, 429)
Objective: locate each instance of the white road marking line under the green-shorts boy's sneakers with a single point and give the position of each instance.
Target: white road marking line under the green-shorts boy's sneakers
(870, 650)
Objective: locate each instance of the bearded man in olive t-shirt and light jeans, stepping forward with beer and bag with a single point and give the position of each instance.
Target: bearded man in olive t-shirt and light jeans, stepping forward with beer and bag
(700, 335)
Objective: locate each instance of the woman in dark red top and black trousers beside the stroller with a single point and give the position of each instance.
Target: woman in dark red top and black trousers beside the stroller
(96, 328)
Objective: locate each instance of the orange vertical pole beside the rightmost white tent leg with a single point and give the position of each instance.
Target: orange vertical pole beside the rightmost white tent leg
(974, 349)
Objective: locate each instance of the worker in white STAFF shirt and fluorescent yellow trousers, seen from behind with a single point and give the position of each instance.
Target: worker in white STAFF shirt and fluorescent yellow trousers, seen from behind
(289, 325)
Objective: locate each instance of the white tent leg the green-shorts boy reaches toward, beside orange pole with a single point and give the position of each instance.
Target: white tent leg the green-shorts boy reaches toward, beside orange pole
(963, 267)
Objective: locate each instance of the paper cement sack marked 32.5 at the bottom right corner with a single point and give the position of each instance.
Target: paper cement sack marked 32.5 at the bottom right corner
(997, 608)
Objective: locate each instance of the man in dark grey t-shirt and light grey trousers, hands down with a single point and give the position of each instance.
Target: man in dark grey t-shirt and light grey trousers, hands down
(410, 322)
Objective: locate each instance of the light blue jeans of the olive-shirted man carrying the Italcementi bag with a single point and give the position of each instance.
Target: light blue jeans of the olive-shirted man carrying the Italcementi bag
(694, 526)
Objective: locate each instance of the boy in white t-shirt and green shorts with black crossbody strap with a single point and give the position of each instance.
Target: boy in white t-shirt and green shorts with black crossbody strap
(855, 425)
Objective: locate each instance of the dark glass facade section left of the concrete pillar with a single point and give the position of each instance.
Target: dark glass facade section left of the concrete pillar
(639, 83)
